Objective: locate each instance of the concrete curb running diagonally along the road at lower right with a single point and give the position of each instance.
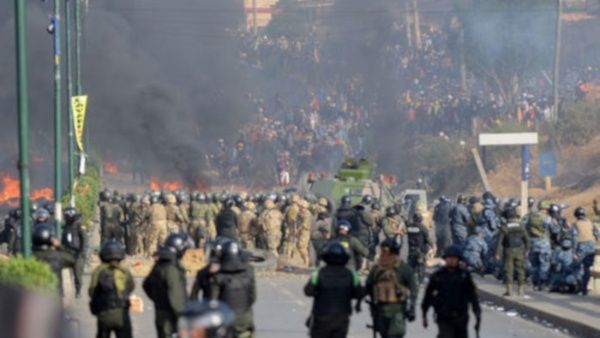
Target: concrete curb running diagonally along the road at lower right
(574, 327)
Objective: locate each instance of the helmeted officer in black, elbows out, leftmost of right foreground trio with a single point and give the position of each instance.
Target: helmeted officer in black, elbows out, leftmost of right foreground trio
(333, 288)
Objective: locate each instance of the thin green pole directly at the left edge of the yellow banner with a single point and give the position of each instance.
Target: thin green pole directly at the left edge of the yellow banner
(70, 144)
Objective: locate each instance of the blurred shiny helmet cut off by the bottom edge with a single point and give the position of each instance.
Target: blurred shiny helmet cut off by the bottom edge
(214, 317)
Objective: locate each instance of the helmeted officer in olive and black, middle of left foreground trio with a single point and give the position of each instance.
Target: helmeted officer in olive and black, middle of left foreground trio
(166, 285)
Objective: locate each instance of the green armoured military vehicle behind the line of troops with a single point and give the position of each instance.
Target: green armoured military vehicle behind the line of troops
(354, 178)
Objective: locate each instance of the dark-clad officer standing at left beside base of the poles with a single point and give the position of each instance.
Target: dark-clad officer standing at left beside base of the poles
(75, 242)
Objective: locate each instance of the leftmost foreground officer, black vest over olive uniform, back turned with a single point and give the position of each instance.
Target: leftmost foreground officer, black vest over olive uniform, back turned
(110, 287)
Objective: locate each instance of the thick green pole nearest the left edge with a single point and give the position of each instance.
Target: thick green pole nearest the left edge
(23, 111)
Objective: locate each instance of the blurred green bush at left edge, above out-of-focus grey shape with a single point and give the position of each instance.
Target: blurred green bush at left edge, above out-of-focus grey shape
(29, 274)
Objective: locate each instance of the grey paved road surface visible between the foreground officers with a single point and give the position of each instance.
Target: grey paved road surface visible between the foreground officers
(282, 308)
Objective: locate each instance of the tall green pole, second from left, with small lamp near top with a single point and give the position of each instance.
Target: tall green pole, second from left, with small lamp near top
(57, 121)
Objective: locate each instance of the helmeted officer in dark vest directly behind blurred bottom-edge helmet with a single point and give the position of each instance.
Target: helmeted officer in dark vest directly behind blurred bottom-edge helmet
(235, 285)
